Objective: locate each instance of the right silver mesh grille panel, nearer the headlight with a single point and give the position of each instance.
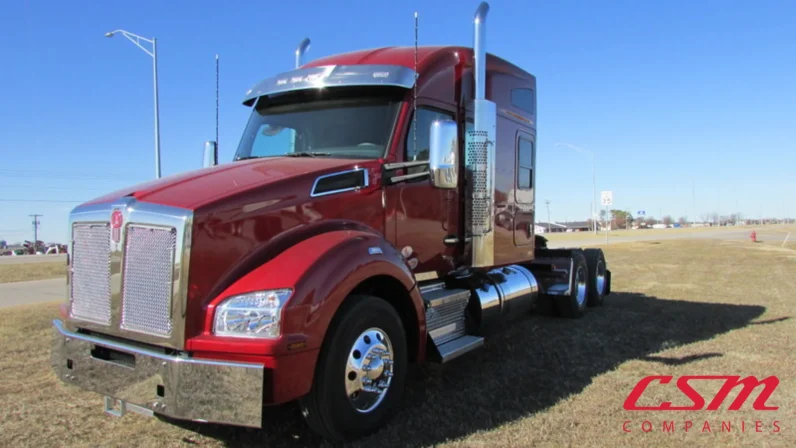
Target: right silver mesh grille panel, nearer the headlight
(147, 284)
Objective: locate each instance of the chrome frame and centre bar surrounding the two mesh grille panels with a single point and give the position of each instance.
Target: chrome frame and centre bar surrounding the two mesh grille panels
(147, 214)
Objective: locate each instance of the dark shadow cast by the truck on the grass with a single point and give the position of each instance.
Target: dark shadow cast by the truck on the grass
(526, 368)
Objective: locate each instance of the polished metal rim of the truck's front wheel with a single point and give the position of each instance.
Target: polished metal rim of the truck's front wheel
(369, 370)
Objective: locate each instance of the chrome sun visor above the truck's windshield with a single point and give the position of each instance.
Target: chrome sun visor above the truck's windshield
(333, 76)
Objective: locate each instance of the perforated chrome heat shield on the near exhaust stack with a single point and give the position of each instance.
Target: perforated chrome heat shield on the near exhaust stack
(479, 214)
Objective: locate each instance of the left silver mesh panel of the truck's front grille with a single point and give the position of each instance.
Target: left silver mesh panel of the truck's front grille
(90, 285)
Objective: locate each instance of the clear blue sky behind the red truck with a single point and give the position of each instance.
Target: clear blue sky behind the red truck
(666, 94)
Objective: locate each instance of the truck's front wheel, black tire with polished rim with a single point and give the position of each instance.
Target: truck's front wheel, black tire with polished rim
(359, 324)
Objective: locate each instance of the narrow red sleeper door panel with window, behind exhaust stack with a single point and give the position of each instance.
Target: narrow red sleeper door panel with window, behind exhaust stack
(524, 188)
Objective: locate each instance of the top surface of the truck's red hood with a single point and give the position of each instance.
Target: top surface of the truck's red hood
(196, 188)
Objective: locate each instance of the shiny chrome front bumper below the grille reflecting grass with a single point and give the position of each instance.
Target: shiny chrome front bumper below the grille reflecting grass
(148, 381)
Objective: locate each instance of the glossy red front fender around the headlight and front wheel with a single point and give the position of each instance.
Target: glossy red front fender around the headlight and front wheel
(322, 271)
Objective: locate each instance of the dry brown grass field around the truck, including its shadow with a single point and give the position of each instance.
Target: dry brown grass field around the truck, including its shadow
(678, 308)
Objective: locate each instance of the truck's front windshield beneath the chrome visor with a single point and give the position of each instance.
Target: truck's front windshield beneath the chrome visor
(340, 128)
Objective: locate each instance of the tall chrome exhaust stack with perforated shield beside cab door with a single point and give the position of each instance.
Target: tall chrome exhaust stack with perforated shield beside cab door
(480, 154)
